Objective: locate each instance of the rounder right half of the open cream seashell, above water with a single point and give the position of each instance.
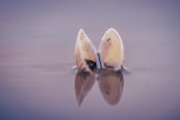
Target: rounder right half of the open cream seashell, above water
(111, 49)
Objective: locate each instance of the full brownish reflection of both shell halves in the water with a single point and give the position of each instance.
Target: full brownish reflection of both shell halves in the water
(110, 83)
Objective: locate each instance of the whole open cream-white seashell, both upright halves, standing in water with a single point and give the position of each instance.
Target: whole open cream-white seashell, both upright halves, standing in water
(110, 53)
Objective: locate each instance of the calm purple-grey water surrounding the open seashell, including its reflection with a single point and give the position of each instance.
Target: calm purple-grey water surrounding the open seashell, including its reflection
(37, 52)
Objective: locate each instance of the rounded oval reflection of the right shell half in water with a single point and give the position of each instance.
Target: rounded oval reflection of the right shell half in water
(111, 85)
